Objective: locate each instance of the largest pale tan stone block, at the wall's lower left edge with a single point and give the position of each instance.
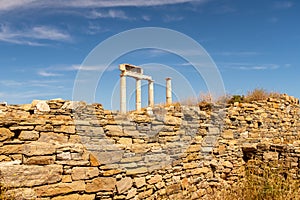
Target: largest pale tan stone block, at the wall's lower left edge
(14, 175)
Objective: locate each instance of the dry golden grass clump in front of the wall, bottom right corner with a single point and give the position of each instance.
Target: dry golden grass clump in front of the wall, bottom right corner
(262, 183)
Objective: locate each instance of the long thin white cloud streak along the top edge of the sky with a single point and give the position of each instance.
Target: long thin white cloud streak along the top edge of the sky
(6, 5)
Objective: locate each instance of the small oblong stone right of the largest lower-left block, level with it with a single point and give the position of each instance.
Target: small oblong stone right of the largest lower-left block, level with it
(81, 173)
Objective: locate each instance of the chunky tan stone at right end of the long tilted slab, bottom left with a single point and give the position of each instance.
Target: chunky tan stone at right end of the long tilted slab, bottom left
(101, 184)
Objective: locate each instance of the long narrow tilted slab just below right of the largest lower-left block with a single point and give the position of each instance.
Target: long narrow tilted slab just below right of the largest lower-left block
(59, 189)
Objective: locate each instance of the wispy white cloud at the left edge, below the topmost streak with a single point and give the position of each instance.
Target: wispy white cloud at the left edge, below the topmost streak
(32, 36)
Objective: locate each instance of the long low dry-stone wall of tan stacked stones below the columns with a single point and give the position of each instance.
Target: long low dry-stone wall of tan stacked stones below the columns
(69, 150)
